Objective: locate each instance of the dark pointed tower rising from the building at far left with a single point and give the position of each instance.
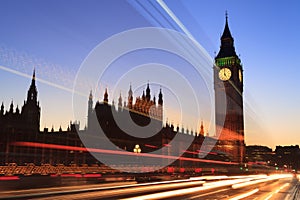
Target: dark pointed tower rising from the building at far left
(30, 113)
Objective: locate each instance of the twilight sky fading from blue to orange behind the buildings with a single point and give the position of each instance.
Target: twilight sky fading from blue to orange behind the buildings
(56, 36)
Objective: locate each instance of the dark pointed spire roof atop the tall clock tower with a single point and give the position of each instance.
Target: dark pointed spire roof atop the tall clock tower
(227, 42)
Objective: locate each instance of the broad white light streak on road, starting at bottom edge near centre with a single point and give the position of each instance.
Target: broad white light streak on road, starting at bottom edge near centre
(180, 192)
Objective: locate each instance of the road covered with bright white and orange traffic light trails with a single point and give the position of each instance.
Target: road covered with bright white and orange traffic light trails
(272, 187)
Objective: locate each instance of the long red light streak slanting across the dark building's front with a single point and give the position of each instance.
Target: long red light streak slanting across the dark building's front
(116, 152)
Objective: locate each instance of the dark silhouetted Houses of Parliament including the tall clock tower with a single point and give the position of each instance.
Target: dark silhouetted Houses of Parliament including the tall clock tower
(23, 142)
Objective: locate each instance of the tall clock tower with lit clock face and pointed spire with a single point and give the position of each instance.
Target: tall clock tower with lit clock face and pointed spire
(228, 85)
